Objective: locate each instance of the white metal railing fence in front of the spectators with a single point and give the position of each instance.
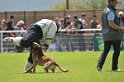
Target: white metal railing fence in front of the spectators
(78, 40)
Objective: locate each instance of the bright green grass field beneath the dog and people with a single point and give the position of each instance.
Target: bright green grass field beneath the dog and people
(81, 65)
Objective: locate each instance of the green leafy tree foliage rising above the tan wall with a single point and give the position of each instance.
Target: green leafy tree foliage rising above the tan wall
(84, 4)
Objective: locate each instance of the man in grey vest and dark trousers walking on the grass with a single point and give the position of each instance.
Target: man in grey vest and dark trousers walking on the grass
(112, 35)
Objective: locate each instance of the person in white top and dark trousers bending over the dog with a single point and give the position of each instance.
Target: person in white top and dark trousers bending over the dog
(43, 29)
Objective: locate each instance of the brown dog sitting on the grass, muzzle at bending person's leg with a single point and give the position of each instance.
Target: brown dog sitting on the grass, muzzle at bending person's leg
(40, 59)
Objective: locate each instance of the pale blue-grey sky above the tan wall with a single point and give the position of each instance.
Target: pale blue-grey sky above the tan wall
(29, 5)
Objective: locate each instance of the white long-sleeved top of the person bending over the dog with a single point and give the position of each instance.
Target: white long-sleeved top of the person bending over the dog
(49, 29)
